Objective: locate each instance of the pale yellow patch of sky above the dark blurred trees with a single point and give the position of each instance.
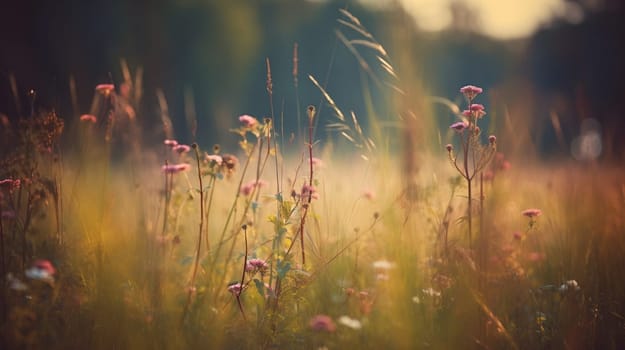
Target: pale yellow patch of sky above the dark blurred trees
(500, 19)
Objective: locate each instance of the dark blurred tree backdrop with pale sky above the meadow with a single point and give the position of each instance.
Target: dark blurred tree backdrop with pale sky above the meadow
(553, 69)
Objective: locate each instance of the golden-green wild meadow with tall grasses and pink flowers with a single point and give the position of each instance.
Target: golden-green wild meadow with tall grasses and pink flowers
(304, 242)
